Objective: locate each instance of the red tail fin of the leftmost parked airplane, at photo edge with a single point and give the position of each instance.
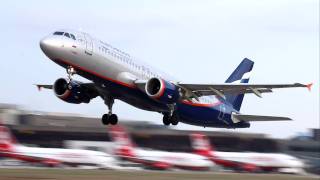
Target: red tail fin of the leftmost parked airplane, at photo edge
(7, 140)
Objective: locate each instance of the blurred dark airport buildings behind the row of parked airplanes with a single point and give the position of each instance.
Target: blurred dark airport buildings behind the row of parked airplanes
(57, 130)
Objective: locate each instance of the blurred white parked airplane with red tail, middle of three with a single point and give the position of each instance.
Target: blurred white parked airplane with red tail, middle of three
(155, 159)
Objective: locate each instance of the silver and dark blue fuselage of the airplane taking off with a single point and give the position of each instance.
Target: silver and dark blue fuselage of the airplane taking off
(114, 73)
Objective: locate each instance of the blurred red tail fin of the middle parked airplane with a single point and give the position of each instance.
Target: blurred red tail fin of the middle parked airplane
(124, 146)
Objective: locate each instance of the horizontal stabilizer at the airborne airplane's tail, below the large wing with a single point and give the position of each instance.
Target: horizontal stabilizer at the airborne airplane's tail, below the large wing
(242, 117)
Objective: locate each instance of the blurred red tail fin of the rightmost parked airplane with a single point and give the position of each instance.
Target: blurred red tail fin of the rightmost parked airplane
(201, 144)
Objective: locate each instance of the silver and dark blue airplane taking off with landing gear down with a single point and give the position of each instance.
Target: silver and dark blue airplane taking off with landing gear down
(116, 75)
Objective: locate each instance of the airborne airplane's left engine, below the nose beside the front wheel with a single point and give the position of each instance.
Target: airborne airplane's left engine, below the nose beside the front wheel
(71, 92)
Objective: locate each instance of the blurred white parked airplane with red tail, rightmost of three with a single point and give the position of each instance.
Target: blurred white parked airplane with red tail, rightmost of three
(246, 161)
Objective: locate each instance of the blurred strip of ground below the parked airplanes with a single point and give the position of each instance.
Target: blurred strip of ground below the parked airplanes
(85, 174)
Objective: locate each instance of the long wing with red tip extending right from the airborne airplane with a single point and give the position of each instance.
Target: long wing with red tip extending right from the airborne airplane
(221, 90)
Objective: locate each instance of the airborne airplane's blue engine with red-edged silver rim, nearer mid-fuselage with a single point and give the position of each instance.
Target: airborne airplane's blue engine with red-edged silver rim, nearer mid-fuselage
(162, 91)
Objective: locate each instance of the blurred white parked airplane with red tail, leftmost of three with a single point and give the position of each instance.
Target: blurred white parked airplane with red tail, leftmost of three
(52, 157)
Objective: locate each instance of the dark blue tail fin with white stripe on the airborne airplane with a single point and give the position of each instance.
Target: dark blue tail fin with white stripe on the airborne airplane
(239, 75)
